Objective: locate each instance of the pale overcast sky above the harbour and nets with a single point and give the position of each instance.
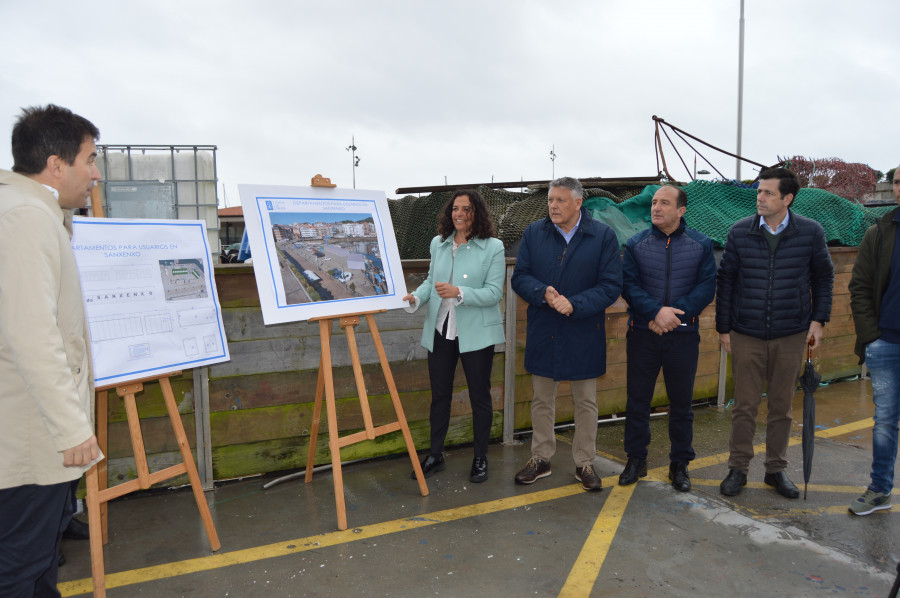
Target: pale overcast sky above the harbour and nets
(465, 90)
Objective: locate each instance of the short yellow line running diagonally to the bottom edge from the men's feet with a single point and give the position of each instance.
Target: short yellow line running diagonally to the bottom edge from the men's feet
(587, 566)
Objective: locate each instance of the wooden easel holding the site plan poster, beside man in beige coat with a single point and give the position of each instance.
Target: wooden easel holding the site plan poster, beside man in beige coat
(98, 492)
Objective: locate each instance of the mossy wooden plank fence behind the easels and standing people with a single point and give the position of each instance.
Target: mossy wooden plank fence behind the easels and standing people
(260, 402)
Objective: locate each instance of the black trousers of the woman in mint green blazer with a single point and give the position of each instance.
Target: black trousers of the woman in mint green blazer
(441, 369)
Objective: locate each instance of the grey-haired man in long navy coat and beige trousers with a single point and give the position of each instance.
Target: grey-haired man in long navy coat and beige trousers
(568, 271)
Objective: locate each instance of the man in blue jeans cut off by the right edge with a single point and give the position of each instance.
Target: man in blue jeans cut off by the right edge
(875, 302)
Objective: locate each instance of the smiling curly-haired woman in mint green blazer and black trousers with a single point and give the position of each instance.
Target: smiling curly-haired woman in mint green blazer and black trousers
(463, 322)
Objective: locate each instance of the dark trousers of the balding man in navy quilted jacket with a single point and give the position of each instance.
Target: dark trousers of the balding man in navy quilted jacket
(676, 353)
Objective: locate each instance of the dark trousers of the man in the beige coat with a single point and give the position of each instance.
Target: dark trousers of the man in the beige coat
(32, 519)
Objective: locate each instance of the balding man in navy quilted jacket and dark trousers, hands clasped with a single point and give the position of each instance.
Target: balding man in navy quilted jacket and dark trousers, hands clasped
(668, 277)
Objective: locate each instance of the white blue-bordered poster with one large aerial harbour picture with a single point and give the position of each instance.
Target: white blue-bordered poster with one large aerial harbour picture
(321, 251)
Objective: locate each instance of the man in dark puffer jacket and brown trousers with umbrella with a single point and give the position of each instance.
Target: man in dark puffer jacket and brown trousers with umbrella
(773, 297)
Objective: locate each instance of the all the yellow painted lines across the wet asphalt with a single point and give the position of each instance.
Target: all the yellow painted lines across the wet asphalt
(581, 578)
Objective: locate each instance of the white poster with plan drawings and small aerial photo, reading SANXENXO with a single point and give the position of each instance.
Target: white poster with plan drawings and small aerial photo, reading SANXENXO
(150, 297)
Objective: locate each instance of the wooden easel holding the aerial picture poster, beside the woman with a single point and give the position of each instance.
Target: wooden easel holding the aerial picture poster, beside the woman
(325, 382)
